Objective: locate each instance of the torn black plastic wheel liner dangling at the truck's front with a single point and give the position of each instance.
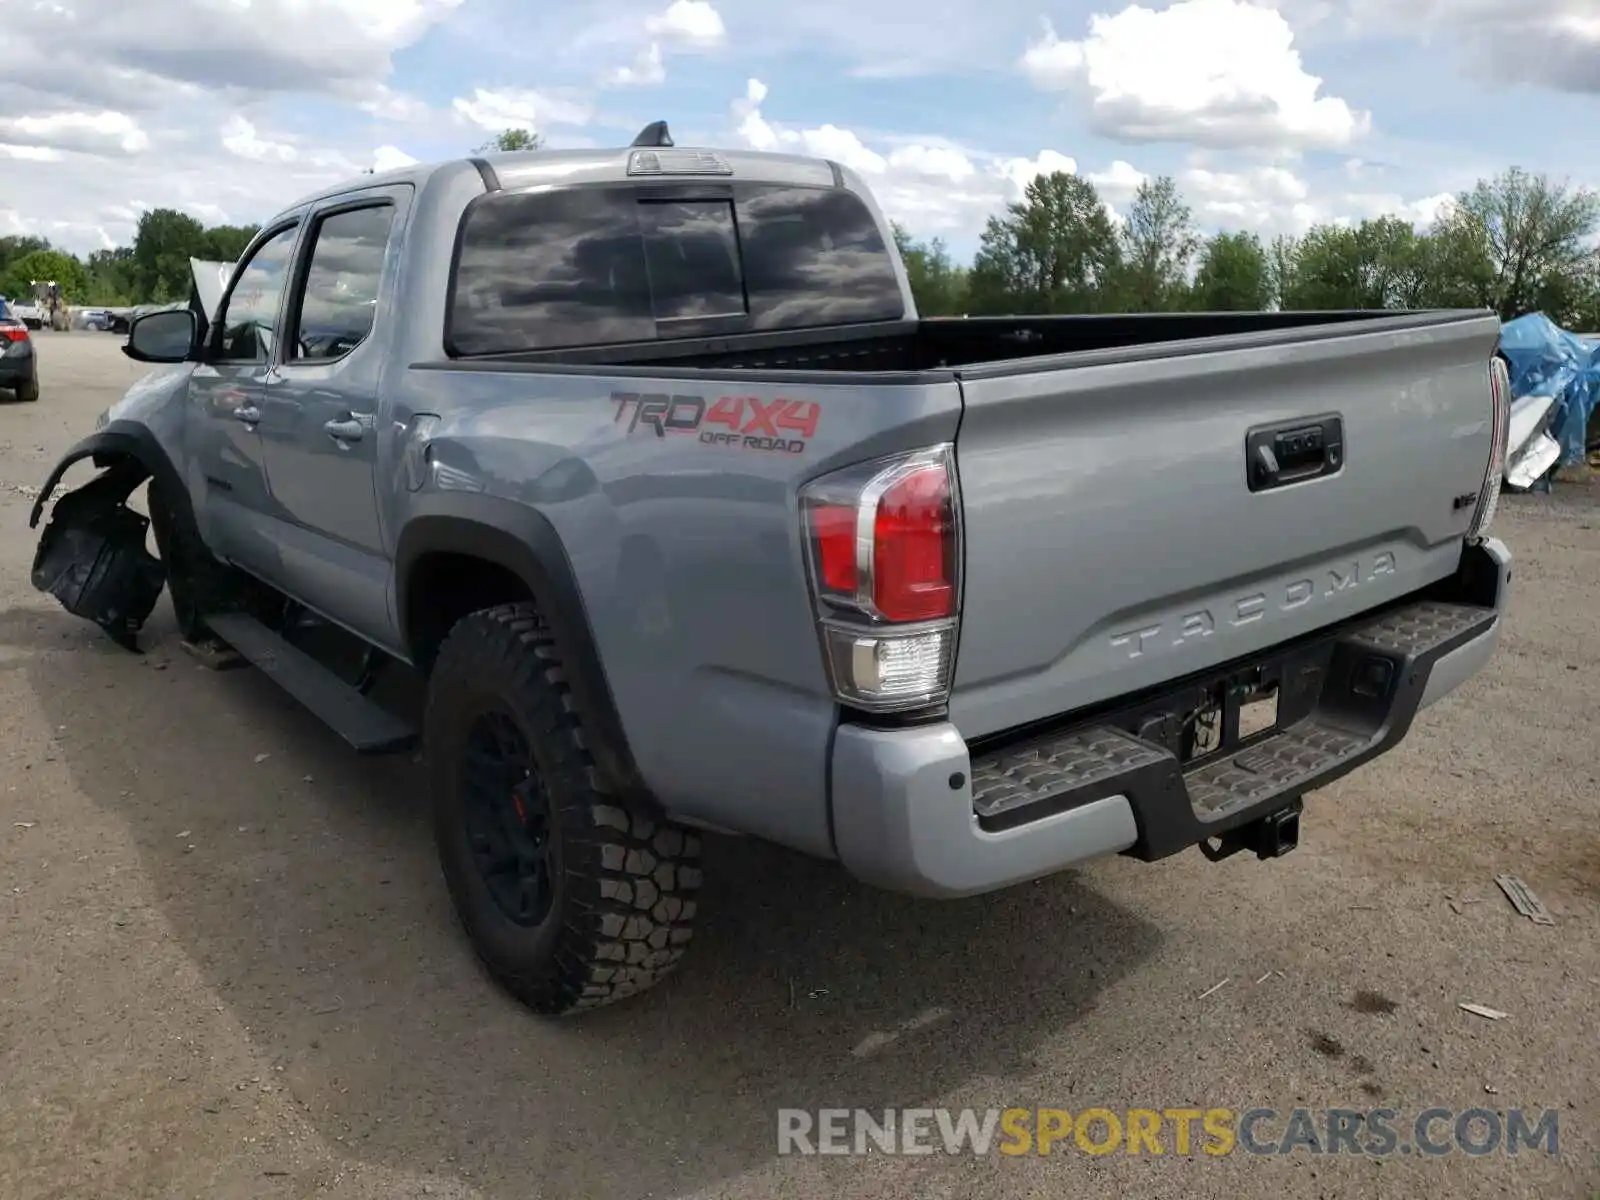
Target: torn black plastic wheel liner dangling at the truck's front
(94, 558)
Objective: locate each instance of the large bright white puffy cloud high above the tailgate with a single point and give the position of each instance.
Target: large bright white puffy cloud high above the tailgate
(1210, 73)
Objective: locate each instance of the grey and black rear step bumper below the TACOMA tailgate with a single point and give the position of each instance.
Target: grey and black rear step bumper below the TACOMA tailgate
(918, 812)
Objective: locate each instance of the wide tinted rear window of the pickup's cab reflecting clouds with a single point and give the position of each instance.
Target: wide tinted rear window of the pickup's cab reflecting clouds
(593, 266)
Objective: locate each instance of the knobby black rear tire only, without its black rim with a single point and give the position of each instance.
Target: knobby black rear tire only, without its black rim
(625, 879)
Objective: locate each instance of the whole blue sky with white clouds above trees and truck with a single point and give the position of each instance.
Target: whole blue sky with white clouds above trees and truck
(1273, 114)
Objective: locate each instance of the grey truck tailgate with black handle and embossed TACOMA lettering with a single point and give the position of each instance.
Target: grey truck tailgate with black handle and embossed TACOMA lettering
(1118, 538)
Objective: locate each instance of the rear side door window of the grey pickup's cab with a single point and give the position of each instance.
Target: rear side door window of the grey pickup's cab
(335, 311)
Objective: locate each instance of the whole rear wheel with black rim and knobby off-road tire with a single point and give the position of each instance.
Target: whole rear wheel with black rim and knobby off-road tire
(570, 897)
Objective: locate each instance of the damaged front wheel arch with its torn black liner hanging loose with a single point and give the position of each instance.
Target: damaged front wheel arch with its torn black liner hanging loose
(92, 554)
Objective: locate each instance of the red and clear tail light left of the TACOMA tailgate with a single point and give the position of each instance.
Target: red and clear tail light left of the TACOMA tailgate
(886, 558)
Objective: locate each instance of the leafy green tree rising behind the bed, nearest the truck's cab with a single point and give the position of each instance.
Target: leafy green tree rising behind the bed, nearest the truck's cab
(1054, 252)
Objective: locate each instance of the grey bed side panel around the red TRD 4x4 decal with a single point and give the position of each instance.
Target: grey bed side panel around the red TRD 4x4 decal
(689, 561)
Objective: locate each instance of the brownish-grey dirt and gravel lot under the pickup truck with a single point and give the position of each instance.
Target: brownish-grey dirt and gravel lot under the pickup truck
(228, 966)
